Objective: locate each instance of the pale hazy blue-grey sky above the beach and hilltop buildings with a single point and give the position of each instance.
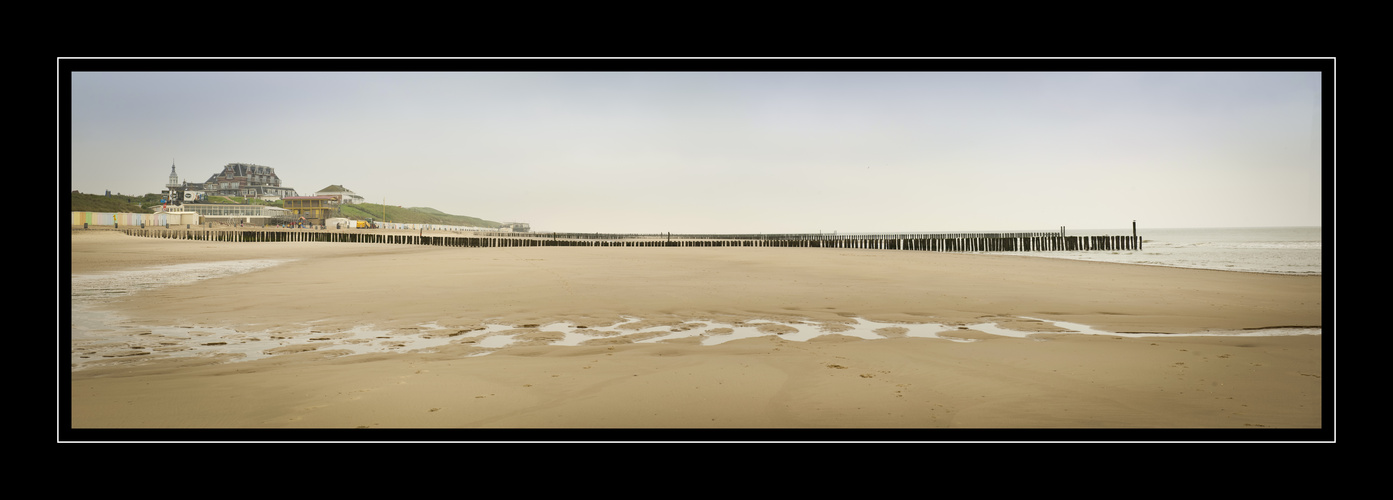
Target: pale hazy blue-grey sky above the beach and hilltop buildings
(733, 153)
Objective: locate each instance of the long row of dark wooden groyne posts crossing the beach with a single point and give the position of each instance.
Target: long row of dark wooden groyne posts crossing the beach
(958, 243)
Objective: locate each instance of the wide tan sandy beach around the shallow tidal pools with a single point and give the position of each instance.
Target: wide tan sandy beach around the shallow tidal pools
(1054, 380)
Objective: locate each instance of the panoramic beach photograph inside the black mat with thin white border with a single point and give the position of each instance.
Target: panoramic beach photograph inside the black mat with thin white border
(699, 251)
